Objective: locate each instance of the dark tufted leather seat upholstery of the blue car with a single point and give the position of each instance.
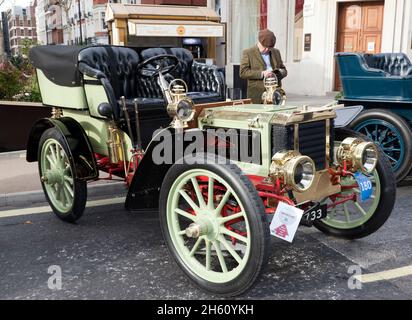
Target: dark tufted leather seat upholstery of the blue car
(395, 64)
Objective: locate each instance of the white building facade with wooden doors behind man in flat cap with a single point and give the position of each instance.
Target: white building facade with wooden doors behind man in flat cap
(310, 32)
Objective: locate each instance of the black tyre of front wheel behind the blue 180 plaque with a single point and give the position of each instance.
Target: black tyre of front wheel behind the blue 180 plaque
(386, 203)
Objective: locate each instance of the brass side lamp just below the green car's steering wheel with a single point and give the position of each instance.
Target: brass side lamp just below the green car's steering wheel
(181, 109)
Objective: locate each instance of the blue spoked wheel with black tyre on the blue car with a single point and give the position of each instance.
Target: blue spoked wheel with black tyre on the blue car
(392, 134)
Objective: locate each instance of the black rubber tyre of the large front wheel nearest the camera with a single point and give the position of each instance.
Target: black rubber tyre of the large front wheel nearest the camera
(259, 226)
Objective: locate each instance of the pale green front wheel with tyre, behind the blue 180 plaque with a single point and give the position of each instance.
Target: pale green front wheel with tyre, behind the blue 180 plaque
(355, 219)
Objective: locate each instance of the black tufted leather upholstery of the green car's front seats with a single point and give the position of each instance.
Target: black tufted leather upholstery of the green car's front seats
(119, 66)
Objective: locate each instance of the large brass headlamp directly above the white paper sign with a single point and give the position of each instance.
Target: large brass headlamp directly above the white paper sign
(293, 169)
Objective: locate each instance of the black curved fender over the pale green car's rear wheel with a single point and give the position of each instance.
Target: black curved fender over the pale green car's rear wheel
(80, 150)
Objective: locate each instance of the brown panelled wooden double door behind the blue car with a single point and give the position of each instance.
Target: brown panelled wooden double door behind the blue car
(360, 27)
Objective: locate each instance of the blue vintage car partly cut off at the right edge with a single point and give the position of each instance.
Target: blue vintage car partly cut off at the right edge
(382, 83)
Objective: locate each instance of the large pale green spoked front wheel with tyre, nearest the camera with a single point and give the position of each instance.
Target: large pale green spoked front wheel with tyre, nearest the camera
(215, 226)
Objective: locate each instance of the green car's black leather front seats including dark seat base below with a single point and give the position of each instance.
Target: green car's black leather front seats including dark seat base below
(116, 68)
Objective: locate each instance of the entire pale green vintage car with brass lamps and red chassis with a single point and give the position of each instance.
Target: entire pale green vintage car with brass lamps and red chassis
(215, 200)
